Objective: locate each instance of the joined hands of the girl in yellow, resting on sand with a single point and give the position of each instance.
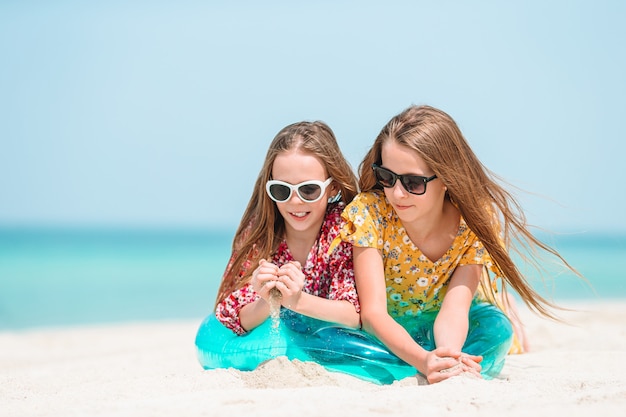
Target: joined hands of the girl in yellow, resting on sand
(443, 363)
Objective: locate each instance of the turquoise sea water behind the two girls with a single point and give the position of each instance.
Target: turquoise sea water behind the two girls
(59, 277)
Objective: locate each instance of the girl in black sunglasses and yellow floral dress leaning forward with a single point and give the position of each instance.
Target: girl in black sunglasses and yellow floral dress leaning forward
(431, 264)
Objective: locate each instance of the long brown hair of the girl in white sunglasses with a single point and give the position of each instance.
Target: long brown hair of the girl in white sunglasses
(262, 227)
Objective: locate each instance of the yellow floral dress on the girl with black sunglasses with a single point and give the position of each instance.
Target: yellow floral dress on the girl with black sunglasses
(415, 284)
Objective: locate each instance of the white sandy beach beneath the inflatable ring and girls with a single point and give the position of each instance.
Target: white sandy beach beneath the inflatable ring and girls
(150, 369)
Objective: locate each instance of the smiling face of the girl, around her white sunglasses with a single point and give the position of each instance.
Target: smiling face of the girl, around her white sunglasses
(302, 218)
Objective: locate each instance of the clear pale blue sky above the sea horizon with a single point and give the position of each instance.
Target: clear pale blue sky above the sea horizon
(154, 113)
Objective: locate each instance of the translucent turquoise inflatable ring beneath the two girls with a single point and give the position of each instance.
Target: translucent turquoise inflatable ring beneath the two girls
(344, 350)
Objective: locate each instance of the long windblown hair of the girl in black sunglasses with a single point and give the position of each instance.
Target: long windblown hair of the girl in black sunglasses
(490, 211)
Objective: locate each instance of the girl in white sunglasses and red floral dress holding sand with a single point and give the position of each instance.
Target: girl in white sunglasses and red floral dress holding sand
(285, 232)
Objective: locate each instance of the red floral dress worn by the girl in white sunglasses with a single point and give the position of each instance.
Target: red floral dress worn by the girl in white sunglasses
(327, 274)
